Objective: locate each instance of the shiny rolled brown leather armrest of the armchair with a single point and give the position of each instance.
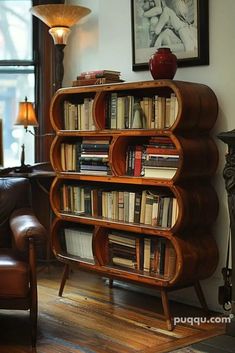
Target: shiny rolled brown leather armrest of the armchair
(24, 225)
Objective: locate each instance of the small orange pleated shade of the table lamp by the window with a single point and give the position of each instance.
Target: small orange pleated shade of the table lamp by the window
(26, 114)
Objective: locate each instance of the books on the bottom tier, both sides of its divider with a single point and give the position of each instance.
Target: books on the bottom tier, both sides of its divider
(151, 255)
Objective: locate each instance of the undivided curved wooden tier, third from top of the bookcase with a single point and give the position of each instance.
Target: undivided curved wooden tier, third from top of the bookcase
(198, 205)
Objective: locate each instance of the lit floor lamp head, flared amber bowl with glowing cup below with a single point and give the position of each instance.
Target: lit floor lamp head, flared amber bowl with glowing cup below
(59, 16)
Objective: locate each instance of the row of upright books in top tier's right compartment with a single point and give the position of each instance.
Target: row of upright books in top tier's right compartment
(131, 112)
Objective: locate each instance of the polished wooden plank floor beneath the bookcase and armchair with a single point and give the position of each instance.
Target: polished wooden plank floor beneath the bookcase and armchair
(92, 318)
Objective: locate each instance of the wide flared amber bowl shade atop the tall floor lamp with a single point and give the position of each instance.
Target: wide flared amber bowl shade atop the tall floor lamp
(59, 15)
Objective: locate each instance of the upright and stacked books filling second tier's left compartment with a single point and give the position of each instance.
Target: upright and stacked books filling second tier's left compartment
(90, 156)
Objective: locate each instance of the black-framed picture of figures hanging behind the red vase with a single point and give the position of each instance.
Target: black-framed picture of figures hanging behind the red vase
(181, 25)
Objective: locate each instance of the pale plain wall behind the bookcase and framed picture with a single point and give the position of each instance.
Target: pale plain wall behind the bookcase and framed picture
(103, 41)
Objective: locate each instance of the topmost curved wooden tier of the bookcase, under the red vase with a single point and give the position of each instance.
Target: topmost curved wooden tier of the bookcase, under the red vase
(197, 103)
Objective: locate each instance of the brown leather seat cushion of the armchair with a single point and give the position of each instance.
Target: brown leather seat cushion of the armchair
(14, 276)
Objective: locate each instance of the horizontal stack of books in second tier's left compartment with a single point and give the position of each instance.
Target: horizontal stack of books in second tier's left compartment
(94, 156)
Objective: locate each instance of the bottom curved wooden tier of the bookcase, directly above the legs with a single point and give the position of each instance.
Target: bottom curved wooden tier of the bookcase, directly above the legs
(190, 256)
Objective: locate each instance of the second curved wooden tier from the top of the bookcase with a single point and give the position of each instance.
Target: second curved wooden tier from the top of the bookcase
(196, 157)
